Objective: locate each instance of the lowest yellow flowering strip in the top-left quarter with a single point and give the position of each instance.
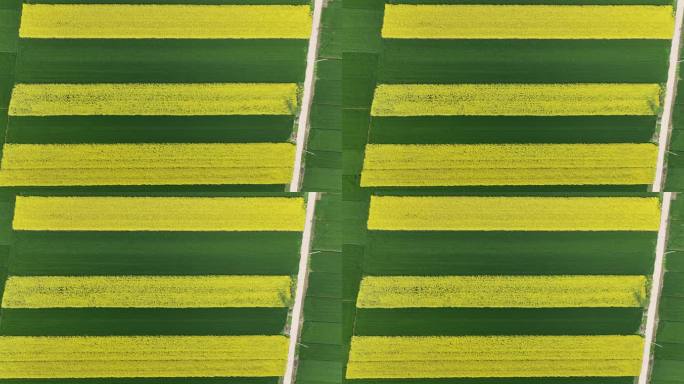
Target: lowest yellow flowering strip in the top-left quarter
(146, 164)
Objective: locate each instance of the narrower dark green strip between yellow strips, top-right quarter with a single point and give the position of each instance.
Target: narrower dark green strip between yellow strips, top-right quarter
(501, 129)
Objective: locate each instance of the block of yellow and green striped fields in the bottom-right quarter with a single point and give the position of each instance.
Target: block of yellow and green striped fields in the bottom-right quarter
(514, 288)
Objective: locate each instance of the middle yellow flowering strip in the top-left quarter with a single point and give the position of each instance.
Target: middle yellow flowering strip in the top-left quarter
(153, 99)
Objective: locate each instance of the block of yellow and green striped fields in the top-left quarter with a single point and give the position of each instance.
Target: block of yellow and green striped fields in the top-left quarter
(105, 94)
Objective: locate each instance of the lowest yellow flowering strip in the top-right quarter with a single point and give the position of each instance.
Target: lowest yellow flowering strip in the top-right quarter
(508, 164)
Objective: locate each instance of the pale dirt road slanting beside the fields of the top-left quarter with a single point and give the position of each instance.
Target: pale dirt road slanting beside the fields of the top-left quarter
(307, 97)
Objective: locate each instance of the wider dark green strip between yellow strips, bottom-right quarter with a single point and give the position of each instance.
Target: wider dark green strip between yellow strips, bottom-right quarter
(508, 253)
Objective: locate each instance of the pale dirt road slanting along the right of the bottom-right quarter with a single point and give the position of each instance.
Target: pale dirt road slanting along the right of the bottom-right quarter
(656, 287)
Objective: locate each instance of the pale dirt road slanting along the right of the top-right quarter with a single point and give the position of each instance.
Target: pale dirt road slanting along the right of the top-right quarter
(670, 94)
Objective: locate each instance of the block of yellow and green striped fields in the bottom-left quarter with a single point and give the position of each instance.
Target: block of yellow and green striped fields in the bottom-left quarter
(188, 288)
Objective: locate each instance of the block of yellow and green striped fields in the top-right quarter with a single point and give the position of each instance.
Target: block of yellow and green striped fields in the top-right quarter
(508, 85)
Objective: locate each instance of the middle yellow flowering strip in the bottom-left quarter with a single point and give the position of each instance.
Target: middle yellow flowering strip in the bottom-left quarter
(146, 291)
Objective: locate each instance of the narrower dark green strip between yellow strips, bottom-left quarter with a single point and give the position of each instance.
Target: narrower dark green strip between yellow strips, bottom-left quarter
(142, 321)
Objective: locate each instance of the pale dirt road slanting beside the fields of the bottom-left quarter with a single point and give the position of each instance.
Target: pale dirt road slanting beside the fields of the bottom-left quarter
(300, 294)
